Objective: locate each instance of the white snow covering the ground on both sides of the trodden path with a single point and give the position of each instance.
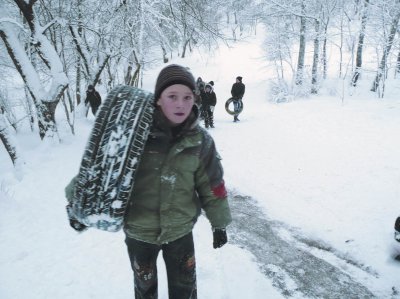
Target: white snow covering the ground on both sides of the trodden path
(326, 166)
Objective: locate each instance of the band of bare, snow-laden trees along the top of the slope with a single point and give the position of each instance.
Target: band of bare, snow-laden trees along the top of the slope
(55, 49)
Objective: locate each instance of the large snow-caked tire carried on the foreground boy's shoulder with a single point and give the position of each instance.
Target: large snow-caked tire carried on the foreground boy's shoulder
(111, 157)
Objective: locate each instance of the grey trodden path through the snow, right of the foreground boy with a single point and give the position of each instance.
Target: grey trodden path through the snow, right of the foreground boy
(297, 267)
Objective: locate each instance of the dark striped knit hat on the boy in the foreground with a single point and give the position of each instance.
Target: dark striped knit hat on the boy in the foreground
(173, 74)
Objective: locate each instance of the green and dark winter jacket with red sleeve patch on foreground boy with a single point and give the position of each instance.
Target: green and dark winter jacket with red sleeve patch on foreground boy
(179, 174)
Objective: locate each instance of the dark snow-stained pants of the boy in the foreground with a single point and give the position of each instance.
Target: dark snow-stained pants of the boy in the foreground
(180, 264)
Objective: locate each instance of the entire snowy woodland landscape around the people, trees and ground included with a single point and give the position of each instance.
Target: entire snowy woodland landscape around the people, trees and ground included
(317, 144)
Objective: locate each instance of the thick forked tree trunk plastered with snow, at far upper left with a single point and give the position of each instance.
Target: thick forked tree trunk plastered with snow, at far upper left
(36, 60)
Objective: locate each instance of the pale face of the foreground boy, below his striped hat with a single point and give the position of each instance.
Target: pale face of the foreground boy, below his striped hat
(176, 102)
